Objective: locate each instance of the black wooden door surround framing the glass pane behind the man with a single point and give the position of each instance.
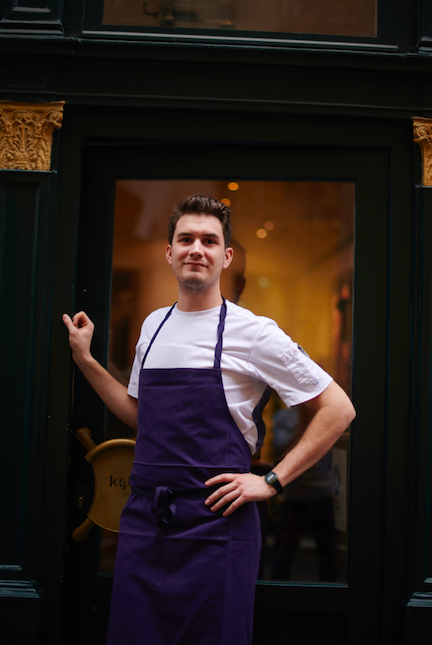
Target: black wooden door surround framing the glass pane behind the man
(337, 607)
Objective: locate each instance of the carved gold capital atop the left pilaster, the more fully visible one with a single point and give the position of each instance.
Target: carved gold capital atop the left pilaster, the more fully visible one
(26, 132)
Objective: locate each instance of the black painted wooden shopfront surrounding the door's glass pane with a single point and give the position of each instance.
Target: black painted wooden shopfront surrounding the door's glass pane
(320, 108)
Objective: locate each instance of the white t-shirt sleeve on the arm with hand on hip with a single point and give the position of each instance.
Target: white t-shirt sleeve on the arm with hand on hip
(285, 366)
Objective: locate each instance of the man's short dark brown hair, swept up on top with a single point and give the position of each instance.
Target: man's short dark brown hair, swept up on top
(201, 205)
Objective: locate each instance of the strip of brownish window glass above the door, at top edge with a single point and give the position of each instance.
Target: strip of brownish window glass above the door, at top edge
(331, 17)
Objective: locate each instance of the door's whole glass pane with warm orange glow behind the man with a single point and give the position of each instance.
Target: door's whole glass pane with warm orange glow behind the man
(299, 274)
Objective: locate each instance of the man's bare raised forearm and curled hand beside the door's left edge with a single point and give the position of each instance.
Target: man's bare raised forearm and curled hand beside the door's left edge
(112, 393)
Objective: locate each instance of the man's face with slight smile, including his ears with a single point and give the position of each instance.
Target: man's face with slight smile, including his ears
(197, 253)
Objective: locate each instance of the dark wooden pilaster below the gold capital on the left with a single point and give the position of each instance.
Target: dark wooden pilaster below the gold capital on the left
(26, 245)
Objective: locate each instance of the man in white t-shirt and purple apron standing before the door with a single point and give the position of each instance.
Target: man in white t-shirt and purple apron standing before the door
(189, 543)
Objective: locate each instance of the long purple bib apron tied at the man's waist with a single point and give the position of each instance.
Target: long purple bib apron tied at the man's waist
(184, 575)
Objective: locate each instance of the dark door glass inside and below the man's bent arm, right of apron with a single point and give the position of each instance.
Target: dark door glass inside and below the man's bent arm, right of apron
(306, 536)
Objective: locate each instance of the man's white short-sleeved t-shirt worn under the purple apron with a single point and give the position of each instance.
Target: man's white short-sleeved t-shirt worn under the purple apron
(255, 353)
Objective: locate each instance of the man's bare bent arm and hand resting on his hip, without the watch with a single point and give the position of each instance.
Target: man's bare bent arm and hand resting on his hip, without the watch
(333, 414)
